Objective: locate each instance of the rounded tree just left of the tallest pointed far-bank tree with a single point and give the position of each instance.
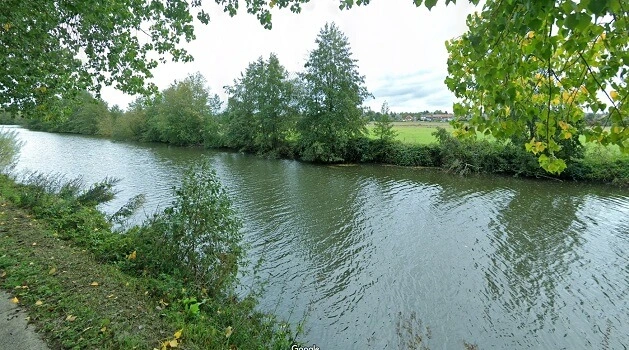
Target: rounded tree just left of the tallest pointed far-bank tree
(261, 106)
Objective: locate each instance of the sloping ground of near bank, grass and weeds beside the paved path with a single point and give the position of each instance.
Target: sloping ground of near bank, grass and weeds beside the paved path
(77, 301)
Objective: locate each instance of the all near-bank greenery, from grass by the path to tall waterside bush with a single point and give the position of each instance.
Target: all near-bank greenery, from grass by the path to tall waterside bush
(167, 283)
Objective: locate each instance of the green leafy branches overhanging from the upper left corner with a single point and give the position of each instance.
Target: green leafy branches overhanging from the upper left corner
(119, 43)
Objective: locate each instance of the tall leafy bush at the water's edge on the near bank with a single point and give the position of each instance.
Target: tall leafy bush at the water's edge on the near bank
(198, 238)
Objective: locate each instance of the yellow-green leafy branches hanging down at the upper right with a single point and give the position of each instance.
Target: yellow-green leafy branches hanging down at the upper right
(528, 71)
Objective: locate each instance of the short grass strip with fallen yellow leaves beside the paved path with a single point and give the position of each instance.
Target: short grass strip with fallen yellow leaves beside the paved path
(74, 300)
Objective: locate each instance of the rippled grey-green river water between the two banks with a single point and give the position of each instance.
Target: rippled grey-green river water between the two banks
(385, 257)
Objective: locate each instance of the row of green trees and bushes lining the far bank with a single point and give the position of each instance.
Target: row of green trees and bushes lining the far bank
(315, 115)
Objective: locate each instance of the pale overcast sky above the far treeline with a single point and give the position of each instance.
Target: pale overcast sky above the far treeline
(399, 47)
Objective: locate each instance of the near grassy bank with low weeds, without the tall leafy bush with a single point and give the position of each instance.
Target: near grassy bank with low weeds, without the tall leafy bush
(85, 286)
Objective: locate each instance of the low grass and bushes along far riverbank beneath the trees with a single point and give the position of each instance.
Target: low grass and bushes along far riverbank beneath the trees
(422, 144)
